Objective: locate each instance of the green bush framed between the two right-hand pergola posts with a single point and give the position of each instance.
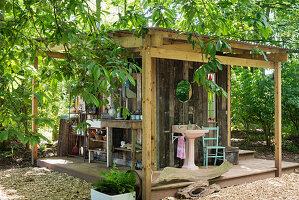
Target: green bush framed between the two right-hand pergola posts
(253, 100)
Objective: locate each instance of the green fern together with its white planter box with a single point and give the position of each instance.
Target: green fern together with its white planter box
(115, 185)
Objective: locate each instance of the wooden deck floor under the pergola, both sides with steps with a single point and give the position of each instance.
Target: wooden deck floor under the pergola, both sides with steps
(247, 170)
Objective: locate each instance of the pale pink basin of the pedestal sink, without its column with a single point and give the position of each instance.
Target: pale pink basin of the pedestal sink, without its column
(193, 133)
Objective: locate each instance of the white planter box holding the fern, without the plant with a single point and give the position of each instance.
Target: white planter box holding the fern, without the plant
(95, 195)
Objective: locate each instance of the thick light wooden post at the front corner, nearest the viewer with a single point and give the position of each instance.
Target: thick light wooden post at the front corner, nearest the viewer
(147, 100)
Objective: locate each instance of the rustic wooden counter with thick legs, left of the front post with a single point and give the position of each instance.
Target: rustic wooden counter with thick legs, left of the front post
(134, 125)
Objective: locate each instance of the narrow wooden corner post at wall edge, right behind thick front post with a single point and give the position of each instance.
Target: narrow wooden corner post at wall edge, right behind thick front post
(154, 115)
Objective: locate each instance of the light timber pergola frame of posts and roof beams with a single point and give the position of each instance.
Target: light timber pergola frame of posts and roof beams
(168, 44)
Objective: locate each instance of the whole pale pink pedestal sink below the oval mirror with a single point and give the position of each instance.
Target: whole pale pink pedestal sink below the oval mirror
(190, 136)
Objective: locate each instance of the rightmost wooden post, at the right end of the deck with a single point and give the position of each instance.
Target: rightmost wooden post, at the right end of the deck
(277, 95)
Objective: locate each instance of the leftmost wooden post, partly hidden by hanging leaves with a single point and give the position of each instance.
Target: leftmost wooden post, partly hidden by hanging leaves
(34, 113)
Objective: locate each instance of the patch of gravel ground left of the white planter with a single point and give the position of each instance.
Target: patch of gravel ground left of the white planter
(41, 183)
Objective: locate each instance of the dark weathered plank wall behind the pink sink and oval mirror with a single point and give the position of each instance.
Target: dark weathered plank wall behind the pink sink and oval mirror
(170, 111)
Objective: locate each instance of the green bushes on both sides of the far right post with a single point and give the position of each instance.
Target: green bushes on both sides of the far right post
(253, 100)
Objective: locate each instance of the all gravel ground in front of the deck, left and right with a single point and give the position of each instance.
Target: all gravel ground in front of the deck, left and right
(41, 183)
